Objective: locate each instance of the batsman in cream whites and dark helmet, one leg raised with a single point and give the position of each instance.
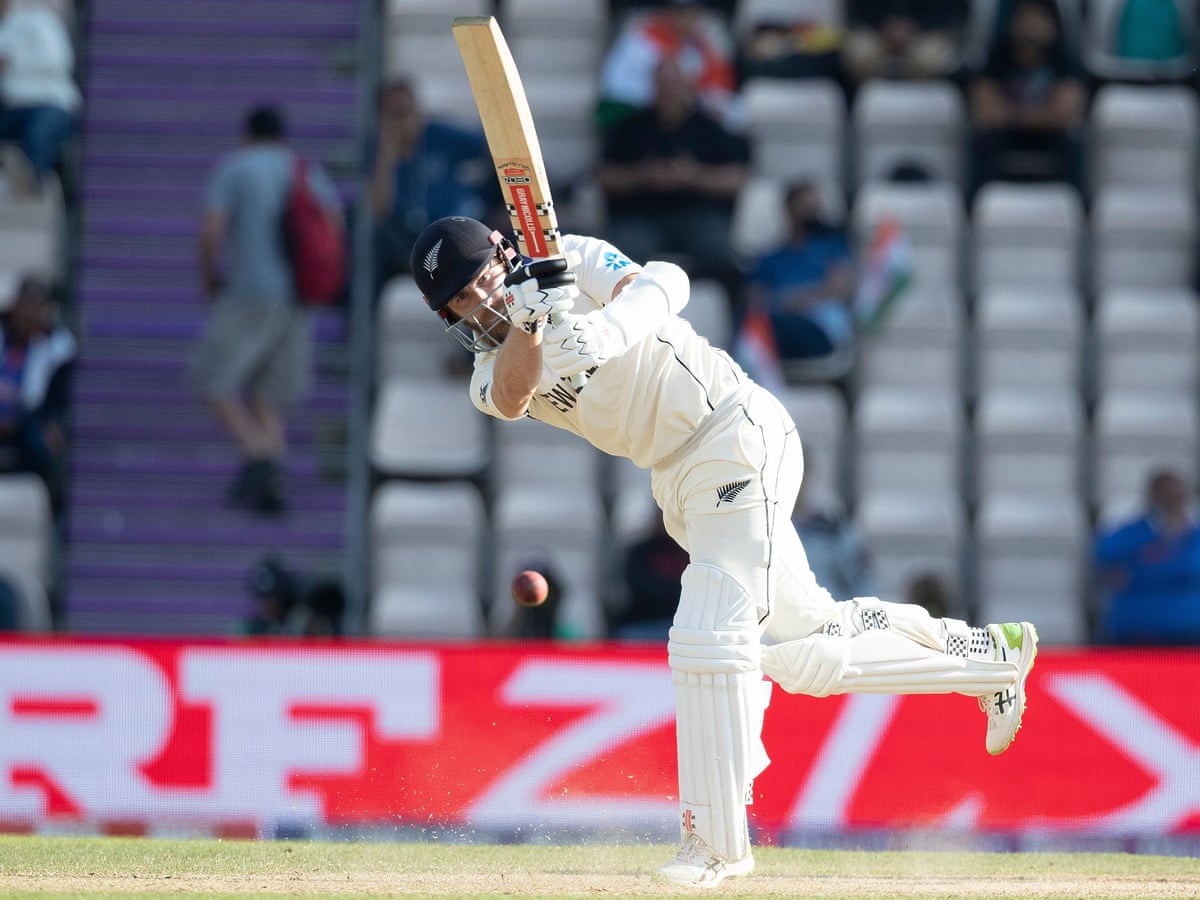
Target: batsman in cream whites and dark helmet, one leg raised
(593, 343)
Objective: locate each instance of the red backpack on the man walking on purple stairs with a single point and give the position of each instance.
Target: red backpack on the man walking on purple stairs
(314, 244)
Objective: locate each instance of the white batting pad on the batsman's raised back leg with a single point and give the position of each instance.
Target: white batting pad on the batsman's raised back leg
(880, 663)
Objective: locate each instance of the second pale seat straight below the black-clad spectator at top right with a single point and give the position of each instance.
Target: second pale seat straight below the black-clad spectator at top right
(1029, 338)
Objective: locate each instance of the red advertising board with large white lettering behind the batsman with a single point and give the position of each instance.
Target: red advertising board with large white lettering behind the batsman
(501, 737)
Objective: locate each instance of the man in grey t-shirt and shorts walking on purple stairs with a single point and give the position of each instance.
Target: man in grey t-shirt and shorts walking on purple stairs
(254, 361)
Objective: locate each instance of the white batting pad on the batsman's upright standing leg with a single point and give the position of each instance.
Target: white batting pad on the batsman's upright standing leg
(721, 701)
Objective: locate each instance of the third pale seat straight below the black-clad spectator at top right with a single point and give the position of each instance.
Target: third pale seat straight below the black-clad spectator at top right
(1029, 442)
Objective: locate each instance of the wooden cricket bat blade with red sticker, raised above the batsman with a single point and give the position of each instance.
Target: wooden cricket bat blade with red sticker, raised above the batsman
(512, 136)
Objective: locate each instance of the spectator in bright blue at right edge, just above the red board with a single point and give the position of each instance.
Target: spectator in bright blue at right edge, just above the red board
(1150, 571)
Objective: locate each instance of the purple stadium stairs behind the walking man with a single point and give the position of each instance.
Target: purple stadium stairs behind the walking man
(153, 547)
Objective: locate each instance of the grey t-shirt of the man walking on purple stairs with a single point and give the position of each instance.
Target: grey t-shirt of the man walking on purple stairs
(250, 188)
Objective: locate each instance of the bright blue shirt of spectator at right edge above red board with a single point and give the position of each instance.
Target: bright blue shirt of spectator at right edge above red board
(1155, 585)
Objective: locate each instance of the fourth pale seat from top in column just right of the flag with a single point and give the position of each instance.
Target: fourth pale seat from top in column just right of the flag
(908, 439)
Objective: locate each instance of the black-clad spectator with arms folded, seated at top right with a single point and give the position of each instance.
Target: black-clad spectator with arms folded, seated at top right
(1028, 105)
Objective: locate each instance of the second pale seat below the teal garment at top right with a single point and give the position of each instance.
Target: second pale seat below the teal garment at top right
(1144, 236)
